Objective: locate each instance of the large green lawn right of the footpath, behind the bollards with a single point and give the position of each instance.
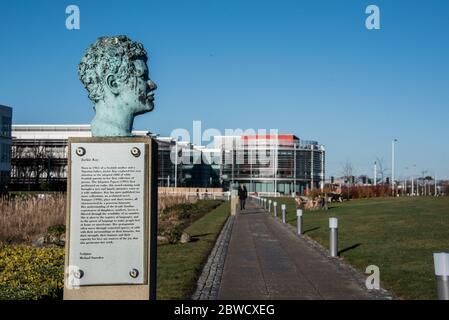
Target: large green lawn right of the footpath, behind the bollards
(397, 235)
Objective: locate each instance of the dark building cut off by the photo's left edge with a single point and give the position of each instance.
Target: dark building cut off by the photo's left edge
(5, 146)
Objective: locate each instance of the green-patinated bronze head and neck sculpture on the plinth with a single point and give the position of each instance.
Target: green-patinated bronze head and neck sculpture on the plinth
(114, 71)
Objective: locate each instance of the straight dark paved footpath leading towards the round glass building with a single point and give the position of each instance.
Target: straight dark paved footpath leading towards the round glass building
(267, 260)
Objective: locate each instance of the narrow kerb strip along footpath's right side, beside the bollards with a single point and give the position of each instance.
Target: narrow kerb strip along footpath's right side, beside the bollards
(359, 277)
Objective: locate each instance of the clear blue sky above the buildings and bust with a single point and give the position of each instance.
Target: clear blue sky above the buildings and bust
(305, 67)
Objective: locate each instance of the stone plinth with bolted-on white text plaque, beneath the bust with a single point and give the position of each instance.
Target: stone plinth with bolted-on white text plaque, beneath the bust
(108, 240)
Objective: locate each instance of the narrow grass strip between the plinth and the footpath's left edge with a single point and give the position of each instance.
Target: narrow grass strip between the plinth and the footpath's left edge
(179, 265)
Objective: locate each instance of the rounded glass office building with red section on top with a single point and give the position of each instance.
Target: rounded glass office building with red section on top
(279, 163)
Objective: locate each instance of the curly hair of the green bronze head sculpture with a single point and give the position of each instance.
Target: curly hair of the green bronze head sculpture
(108, 55)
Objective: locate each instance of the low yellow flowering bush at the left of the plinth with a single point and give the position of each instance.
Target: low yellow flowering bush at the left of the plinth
(31, 273)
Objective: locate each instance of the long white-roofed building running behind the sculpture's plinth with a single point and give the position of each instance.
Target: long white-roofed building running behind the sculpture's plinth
(39, 158)
